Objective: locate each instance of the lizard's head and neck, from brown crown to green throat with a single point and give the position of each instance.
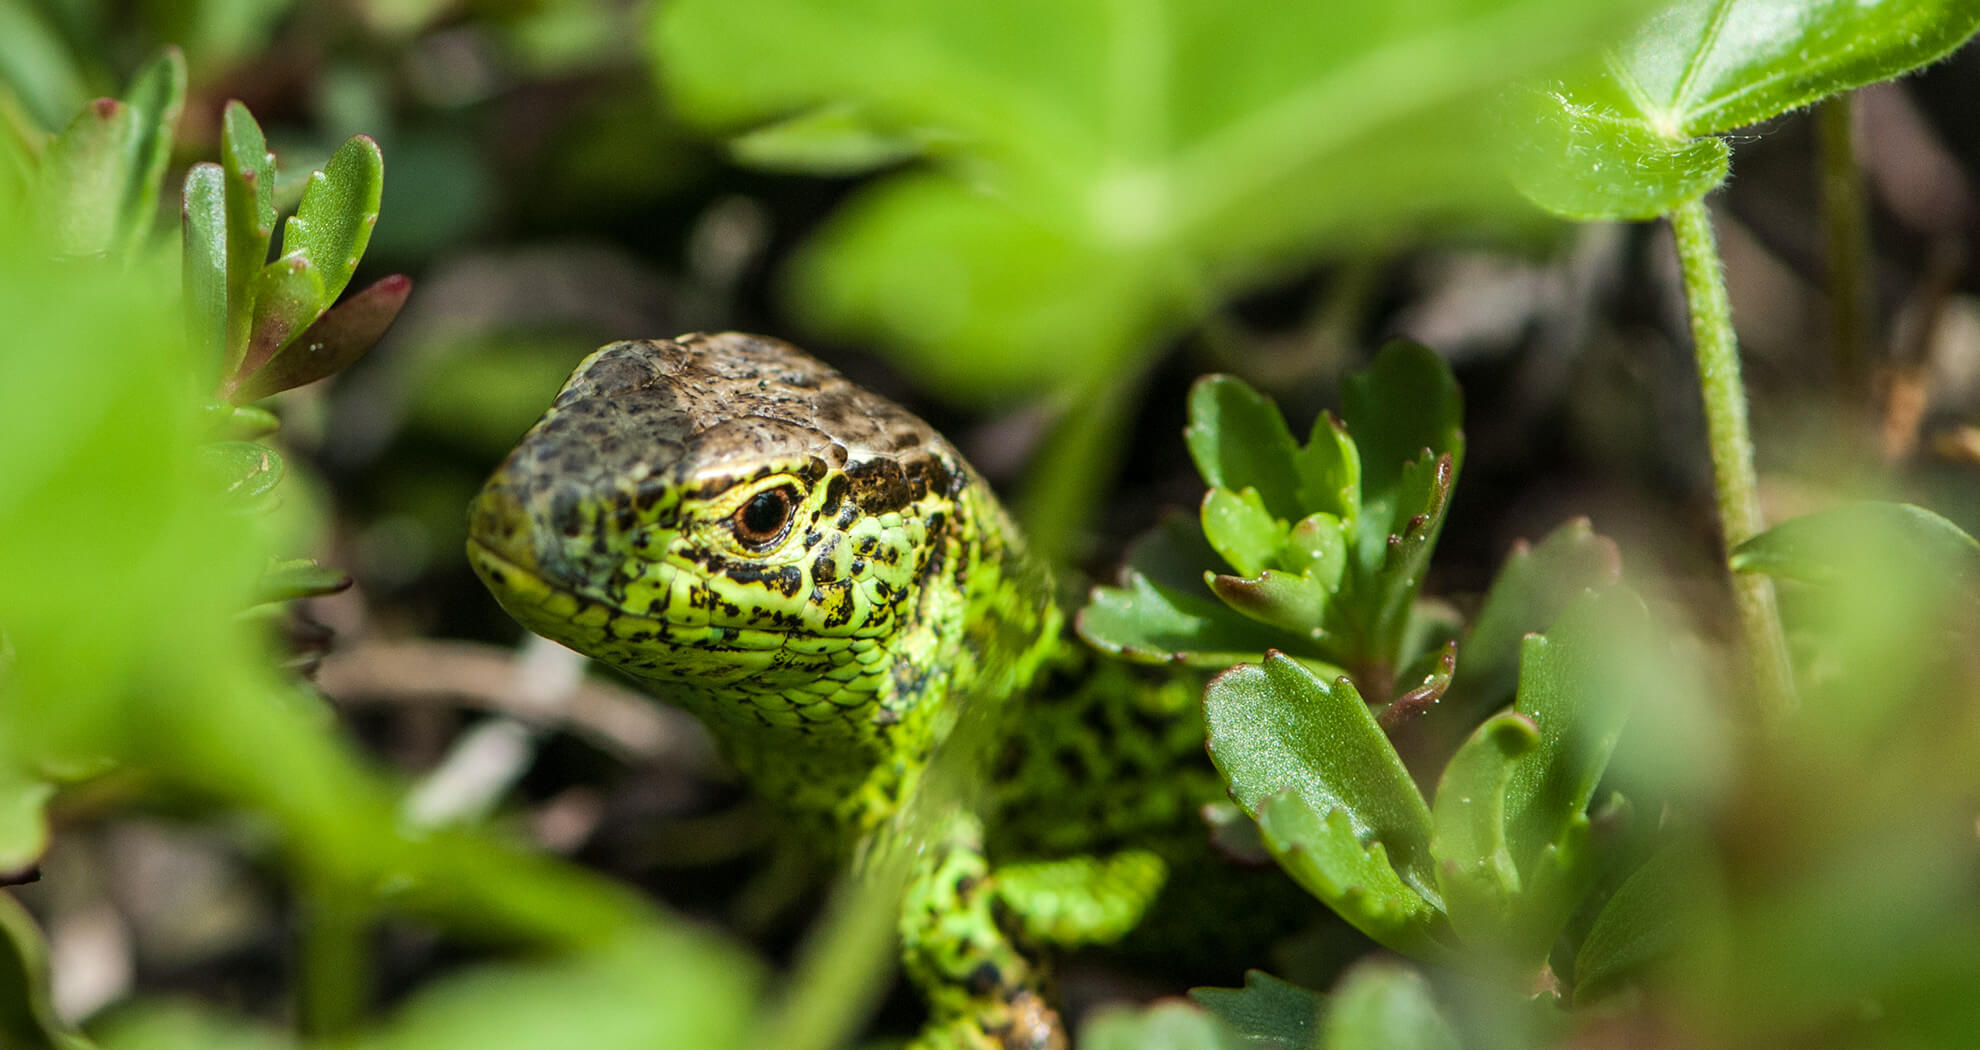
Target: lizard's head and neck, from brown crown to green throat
(801, 564)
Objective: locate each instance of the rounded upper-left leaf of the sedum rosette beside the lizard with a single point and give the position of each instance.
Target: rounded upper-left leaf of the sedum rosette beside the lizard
(1238, 441)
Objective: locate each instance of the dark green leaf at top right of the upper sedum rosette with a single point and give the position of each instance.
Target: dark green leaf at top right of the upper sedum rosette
(1395, 409)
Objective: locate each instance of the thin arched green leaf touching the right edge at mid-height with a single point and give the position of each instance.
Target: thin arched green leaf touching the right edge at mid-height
(1834, 546)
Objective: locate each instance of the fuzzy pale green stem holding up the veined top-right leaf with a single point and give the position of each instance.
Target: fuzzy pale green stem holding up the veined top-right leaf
(1732, 447)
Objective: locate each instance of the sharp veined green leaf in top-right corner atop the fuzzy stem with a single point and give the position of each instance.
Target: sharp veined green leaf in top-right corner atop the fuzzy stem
(1625, 142)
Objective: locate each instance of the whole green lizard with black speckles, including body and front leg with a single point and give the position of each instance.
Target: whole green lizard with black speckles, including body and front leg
(833, 589)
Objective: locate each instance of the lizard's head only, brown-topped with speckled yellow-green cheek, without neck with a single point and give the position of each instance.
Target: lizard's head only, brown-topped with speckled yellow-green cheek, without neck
(728, 516)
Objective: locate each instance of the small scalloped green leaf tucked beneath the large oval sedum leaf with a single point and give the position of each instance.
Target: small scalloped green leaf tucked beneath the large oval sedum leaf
(1332, 861)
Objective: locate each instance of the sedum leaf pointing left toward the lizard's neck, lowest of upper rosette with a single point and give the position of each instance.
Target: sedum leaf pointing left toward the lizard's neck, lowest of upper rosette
(1161, 613)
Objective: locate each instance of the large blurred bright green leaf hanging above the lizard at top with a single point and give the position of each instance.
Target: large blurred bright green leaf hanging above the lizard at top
(1110, 171)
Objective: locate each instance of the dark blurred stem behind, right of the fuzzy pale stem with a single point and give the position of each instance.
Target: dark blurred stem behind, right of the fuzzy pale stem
(1848, 245)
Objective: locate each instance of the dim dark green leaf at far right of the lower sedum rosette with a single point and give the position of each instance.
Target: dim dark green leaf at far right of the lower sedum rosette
(1646, 920)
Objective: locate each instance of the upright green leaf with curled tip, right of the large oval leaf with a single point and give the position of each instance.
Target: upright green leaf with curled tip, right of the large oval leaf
(1476, 869)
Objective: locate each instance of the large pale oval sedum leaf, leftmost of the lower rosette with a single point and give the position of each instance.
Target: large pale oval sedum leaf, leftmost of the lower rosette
(1276, 728)
